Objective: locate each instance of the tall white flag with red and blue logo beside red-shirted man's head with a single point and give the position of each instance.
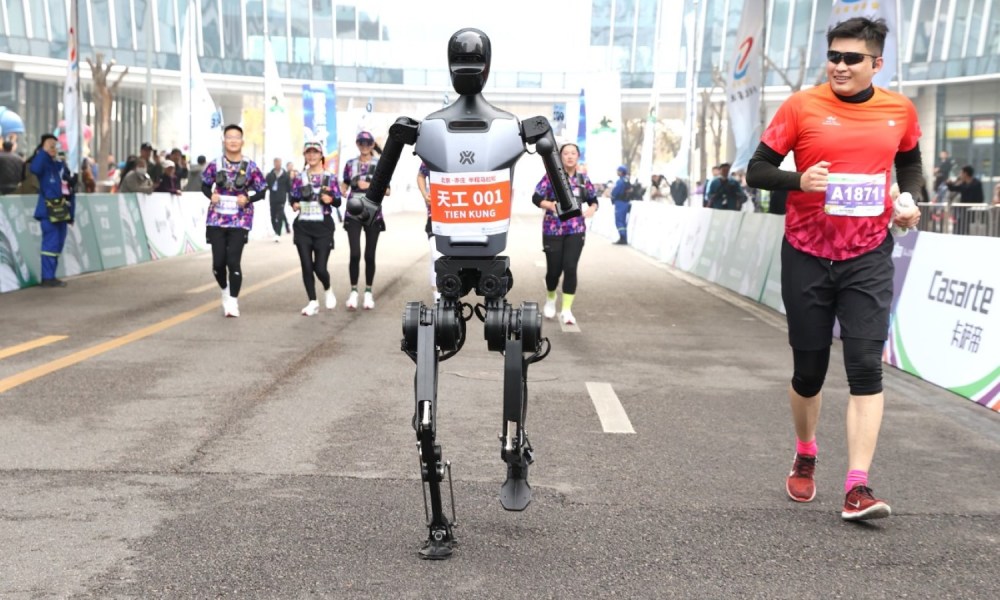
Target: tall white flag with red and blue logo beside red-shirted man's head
(743, 87)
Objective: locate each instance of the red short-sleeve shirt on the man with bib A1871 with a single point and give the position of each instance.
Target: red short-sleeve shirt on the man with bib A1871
(855, 138)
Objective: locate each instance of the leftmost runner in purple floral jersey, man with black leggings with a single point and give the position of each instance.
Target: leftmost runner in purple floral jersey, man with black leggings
(232, 184)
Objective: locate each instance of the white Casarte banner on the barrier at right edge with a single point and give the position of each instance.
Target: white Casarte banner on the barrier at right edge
(946, 328)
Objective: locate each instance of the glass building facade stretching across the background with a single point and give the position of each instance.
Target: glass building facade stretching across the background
(949, 50)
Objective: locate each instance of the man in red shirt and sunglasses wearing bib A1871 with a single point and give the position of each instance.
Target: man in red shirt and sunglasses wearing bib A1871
(836, 256)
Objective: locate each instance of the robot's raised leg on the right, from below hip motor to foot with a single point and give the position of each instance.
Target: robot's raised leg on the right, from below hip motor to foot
(515, 493)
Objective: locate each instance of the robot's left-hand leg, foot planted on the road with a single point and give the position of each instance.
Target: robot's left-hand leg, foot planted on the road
(419, 339)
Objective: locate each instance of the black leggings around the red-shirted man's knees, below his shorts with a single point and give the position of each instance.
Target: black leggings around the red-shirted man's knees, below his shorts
(862, 361)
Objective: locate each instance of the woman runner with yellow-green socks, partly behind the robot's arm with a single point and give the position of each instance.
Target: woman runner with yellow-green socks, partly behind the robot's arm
(563, 241)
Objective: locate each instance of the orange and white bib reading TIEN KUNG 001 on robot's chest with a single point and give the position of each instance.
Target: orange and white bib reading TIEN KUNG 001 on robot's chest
(470, 204)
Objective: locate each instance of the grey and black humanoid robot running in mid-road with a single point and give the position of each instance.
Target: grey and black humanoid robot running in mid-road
(470, 148)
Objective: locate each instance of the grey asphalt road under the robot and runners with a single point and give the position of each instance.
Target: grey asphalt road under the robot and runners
(159, 450)
